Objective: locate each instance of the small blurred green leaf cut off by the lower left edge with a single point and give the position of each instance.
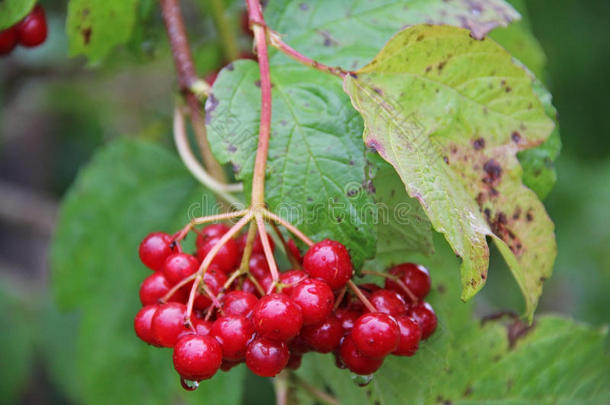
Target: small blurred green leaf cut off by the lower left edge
(16, 341)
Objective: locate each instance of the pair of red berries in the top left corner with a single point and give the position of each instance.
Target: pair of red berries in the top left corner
(29, 32)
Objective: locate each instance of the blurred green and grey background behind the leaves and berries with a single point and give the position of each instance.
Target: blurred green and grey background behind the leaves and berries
(56, 110)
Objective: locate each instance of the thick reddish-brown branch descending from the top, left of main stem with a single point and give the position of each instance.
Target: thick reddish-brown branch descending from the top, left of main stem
(188, 79)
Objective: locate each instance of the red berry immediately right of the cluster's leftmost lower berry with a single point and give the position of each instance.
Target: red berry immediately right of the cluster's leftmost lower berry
(168, 323)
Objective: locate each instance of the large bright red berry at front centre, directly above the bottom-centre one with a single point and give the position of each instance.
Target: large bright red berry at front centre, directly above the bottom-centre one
(277, 317)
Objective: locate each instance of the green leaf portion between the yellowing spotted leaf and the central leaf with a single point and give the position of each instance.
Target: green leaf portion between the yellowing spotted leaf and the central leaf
(402, 224)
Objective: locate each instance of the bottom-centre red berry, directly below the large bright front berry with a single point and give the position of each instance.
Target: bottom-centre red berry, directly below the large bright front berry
(266, 358)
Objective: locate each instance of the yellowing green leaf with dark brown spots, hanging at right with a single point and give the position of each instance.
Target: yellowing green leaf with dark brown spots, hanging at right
(450, 113)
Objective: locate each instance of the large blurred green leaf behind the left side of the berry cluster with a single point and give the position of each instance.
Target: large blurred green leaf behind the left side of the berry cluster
(129, 189)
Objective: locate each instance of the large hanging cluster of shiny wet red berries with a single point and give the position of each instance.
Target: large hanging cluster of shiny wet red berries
(234, 321)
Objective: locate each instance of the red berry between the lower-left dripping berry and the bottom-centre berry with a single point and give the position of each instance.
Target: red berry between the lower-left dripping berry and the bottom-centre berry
(233, 333)
